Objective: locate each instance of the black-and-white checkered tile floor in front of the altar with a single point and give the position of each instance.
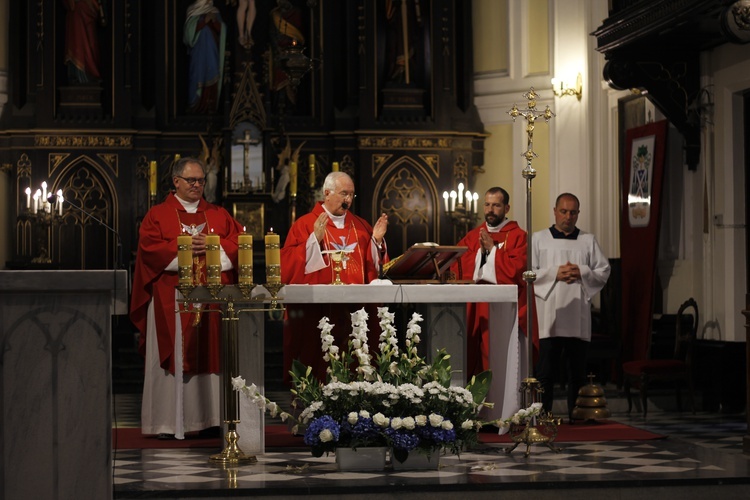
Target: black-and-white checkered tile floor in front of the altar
(701, 457)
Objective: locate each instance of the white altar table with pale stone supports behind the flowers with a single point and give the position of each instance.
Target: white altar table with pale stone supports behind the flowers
(443, 307)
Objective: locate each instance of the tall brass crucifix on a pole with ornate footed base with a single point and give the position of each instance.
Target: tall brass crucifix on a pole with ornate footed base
(539, 429)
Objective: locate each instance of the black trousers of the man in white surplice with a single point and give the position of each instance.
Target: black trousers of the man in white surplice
(551, 351)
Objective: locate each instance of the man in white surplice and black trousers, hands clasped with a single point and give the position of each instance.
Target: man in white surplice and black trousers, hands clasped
(570, 268)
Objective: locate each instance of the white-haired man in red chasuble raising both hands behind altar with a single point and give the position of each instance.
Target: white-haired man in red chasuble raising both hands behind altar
(306, 258)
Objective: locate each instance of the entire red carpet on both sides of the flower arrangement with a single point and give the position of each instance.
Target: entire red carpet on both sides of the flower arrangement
(278, 436)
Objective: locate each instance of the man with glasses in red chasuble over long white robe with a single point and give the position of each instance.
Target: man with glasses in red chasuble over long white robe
(181, 388)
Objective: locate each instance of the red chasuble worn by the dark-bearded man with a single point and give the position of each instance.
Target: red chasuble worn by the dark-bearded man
(510, 264)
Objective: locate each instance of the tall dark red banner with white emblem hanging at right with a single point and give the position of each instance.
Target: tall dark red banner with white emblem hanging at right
(639, 233)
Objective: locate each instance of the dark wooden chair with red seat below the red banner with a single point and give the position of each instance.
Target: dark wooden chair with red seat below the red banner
(676, 370)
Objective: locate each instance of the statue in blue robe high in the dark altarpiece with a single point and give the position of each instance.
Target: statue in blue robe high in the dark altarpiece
(205, 37)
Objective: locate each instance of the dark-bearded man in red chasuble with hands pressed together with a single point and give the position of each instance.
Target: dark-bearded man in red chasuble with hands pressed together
(497, 255)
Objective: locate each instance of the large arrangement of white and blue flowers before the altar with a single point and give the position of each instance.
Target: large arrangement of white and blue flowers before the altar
(395, 399)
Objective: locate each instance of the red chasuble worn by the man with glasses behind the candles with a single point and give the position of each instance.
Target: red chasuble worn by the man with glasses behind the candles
(157, 248)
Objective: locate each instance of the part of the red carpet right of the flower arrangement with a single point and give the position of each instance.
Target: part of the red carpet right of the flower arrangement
(603, 430)
